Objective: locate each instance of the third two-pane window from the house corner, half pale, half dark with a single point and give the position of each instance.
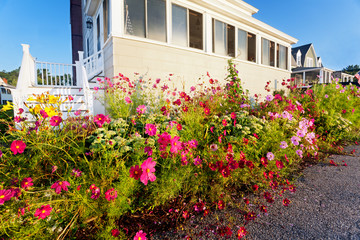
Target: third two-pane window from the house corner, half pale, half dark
(223, 38)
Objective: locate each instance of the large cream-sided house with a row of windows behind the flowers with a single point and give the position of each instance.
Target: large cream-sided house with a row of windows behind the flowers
(186, 38)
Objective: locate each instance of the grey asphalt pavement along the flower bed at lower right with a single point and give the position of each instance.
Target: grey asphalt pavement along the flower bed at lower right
(326, 205)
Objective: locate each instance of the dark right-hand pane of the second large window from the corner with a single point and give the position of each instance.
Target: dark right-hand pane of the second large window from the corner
(196, 29)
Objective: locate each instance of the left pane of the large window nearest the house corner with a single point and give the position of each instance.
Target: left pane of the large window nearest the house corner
(134, 17)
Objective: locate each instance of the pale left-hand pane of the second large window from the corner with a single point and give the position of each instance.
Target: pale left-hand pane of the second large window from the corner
(179, 25)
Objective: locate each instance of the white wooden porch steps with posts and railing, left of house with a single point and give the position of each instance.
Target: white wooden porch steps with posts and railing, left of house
(37, 77)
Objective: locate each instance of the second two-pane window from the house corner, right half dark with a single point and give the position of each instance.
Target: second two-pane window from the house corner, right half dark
(187, 27)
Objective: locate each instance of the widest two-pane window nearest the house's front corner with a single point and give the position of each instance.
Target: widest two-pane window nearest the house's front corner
(146, 18)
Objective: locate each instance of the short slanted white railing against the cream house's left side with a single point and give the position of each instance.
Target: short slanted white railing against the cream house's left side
(93, 64)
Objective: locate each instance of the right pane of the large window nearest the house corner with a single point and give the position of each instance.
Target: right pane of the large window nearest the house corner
(156, 14)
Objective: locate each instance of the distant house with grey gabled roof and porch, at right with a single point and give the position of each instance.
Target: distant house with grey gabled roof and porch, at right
(307, 67)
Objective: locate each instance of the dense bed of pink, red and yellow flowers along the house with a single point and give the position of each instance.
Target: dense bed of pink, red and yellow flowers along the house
(162, 151)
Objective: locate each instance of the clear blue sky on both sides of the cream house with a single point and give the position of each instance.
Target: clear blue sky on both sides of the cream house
(333, 27)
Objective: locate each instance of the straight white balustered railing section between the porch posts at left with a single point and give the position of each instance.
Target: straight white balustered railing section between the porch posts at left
(54, 74)
